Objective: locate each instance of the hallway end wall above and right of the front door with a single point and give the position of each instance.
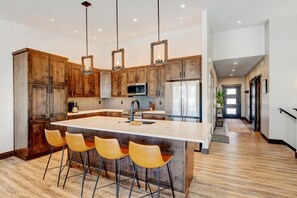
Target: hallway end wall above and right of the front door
(240, 80)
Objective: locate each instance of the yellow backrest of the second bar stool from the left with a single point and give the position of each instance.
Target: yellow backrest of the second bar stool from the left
(76, 142)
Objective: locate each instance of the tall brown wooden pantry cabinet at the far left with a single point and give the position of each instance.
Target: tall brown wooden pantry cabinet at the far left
(40, 97)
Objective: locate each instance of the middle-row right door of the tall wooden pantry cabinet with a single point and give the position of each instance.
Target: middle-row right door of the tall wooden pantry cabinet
(58, 101)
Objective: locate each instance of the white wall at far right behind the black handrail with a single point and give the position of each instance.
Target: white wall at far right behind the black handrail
(283, 80)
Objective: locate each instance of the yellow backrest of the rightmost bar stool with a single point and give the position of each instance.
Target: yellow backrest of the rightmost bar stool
(147, 156)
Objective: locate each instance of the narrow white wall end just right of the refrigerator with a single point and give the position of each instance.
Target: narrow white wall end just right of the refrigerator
(208, 84)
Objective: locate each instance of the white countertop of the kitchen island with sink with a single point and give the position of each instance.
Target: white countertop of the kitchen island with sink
(184, 131)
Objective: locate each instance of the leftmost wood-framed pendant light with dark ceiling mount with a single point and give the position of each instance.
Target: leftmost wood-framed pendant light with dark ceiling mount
(87, 61)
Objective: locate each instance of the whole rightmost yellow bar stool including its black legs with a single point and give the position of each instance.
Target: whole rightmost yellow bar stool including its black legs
(149, 157)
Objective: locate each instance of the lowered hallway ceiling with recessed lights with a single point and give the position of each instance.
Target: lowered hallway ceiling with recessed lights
(242, 67)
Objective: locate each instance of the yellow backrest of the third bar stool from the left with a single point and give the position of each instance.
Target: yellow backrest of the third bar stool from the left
(108, 148)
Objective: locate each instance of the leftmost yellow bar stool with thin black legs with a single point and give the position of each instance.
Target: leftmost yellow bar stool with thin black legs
(55, 140)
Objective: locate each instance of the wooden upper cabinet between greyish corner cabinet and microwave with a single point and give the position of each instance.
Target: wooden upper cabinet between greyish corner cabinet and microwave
(119, 83)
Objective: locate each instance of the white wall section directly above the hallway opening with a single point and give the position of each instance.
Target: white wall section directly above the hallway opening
(239, 43)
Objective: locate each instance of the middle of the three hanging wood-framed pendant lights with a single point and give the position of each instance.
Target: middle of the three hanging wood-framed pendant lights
(118, 61)
